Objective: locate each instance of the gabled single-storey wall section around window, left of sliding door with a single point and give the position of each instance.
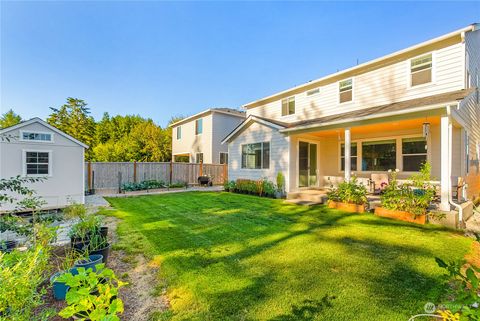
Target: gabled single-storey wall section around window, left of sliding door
(279, 154)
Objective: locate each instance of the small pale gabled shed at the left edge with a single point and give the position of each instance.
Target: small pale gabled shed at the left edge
(34, 148)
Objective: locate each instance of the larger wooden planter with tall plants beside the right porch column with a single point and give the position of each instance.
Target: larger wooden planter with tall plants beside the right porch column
(408, 201)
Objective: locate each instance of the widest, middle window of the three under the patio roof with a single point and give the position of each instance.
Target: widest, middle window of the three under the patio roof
(379, 155)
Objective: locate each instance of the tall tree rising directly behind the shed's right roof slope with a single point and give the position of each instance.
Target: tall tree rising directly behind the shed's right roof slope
(74, 119)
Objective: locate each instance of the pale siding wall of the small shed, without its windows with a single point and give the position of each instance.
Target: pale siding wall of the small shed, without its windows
(67, 177)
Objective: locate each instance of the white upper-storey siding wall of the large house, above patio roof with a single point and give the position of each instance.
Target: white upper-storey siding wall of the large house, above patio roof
(376, 87)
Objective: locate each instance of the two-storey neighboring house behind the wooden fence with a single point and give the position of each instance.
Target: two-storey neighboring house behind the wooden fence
(197, 139)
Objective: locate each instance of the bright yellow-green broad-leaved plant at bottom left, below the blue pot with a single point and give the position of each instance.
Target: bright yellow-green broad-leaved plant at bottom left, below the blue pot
(92, 295)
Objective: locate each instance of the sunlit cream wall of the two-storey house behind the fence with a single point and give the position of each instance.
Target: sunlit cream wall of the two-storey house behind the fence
(191, 143)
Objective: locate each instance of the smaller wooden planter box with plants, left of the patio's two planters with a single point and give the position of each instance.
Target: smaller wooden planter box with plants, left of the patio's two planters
(349, 196)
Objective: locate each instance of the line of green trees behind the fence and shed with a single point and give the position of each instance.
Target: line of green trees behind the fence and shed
(113, 138)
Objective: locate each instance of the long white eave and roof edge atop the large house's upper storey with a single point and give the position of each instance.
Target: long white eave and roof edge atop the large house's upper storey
(450, 38)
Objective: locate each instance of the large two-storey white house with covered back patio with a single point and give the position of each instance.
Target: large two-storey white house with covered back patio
(395, 112)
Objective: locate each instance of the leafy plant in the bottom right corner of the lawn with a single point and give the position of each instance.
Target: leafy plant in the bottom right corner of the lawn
(462, 284)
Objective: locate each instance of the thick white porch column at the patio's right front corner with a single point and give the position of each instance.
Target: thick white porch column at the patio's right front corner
(444, 164)
